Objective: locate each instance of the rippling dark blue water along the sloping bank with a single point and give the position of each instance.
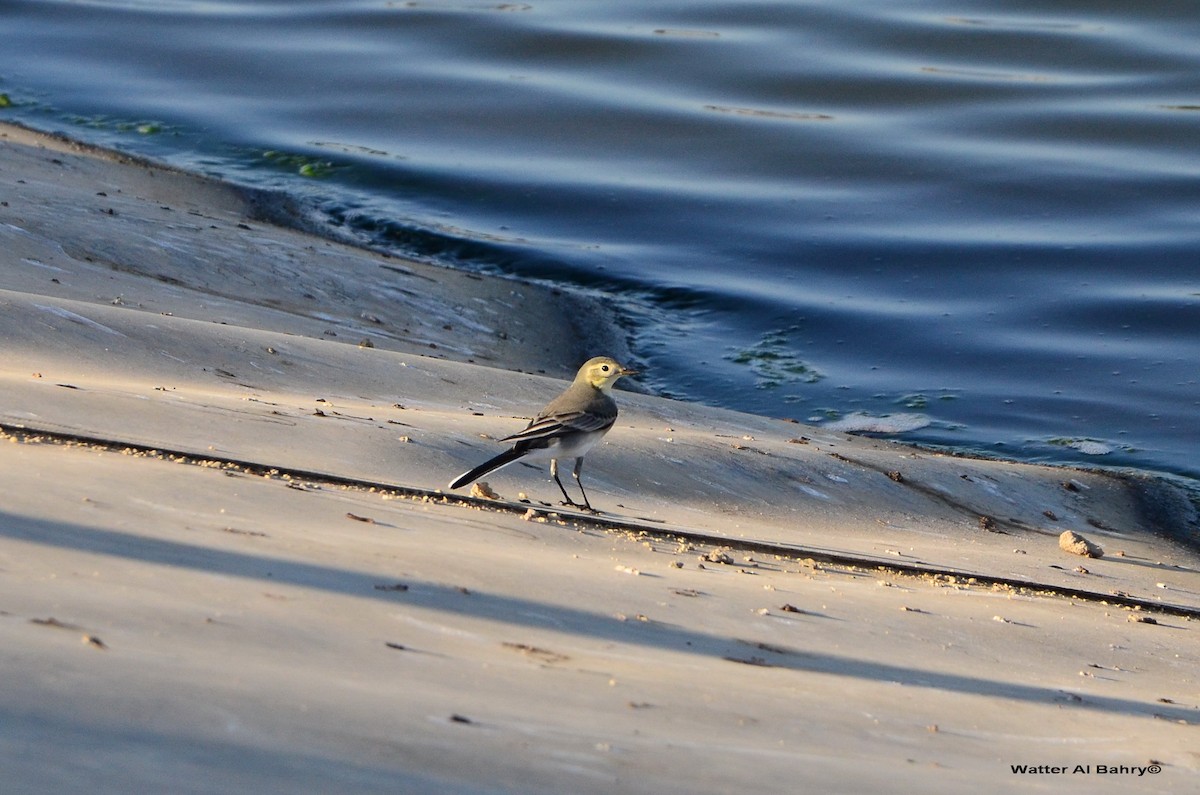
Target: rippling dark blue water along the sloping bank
(975, 223)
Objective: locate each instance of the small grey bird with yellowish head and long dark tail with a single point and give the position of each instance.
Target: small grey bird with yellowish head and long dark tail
(567, 428)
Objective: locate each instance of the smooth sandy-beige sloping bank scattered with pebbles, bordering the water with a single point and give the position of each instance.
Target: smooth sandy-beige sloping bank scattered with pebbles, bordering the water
(229, 563)
